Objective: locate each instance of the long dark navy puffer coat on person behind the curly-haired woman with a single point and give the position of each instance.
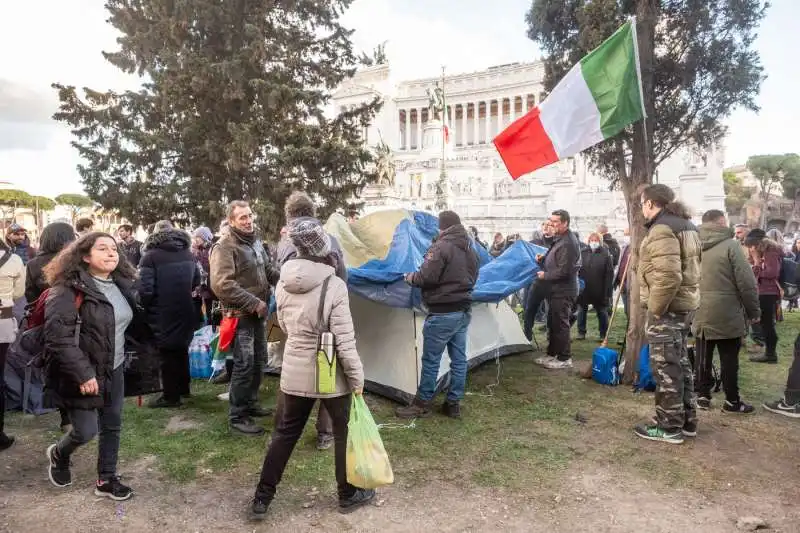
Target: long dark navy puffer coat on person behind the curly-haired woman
(168, 274)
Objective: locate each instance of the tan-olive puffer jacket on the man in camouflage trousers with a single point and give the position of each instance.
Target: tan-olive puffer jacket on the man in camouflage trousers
(669, 265)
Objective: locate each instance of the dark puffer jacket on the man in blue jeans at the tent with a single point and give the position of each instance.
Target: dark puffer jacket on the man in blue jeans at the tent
(449, 272)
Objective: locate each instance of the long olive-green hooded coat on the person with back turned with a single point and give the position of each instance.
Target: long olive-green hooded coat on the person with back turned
(728, 294)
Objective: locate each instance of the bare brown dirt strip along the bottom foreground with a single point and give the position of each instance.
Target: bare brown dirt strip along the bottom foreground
(590, 499)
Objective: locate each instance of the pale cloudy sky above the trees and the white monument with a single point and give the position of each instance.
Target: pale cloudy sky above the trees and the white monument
(46, 41)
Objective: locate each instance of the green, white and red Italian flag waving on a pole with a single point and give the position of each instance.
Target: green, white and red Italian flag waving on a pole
(597, 98)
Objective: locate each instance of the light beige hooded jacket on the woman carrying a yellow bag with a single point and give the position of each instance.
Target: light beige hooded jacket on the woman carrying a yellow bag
(298, 297)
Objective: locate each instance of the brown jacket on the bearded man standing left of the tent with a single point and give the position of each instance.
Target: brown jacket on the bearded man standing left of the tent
(241, 273)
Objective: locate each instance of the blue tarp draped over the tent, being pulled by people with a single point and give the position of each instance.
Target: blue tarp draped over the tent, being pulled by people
(381, 280)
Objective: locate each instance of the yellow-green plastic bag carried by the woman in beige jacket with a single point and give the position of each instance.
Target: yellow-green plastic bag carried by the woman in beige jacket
(367, 463)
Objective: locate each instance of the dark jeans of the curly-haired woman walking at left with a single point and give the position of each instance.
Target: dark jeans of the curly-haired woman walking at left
(86, 423)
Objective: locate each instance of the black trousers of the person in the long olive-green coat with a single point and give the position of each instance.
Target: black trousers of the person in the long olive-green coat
(728, 363)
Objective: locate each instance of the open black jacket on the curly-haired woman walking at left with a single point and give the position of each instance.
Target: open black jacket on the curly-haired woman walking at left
(68, 365)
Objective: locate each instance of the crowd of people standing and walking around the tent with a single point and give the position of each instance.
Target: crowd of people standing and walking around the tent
(105, 296)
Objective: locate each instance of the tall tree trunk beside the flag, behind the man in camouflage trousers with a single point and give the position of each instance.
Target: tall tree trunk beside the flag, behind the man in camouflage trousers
(641, 174)
